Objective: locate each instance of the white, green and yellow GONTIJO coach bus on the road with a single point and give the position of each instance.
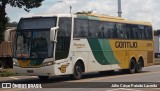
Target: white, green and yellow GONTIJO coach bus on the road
(73, 44)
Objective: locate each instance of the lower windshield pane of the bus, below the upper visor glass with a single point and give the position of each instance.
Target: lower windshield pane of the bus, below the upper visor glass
(35, 44)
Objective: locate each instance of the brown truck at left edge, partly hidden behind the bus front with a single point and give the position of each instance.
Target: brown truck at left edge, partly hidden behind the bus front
(6, 49)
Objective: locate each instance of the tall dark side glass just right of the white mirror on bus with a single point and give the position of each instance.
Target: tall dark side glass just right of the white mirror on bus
(63, 39)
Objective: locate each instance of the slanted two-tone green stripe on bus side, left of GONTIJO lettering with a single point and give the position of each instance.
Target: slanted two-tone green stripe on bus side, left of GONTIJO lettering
(102, 51)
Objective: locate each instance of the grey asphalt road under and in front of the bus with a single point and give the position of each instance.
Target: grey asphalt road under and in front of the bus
(92, 81)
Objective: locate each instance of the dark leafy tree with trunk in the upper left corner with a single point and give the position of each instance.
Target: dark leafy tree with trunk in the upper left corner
(25, 4)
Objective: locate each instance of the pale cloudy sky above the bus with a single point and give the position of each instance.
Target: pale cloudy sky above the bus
(136, 10)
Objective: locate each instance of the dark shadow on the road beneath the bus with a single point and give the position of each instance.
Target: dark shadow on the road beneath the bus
(58, 79)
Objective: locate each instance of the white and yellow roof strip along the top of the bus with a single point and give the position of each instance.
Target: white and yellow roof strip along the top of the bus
(94, 17)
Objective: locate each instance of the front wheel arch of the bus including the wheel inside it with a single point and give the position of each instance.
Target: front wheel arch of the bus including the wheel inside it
(78, 69)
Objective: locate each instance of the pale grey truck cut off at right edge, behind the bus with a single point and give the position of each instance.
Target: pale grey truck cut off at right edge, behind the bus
(157, 46)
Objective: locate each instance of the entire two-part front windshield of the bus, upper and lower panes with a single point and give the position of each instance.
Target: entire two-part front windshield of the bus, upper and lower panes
(33, 38)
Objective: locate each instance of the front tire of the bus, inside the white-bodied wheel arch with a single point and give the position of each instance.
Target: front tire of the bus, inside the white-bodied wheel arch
(77, 73)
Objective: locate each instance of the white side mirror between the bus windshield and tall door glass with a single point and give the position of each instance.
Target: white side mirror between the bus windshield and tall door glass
(53, 34)
